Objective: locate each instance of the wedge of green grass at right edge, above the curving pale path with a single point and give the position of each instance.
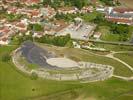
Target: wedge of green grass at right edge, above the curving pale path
(126, 57)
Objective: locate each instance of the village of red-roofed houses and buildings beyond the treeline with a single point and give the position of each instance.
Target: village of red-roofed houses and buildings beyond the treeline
(44, 19)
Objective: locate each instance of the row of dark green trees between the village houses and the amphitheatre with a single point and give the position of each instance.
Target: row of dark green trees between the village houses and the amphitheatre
(48, 39)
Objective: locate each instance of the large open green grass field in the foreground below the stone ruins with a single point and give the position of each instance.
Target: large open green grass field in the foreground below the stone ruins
(15, 85)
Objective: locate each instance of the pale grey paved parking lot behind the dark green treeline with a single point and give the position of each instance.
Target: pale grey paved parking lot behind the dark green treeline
(82, 33)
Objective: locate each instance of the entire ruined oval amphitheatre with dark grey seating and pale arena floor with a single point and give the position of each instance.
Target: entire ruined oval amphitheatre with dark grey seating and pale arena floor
(51, 63)
